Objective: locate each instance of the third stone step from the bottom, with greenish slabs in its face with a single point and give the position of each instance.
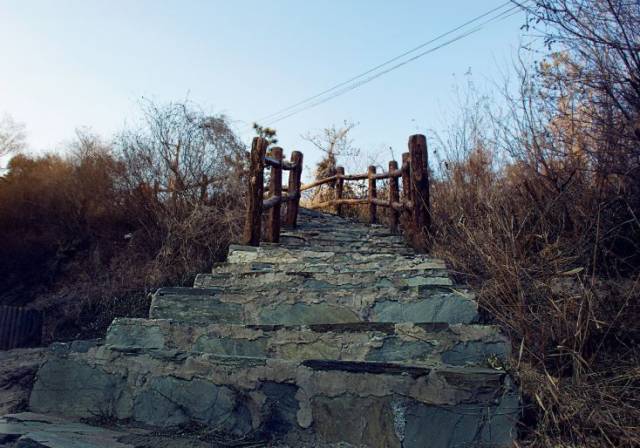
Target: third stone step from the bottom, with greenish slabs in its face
(276, 306)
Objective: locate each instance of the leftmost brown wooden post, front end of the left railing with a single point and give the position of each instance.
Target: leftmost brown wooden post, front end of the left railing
(255, 192)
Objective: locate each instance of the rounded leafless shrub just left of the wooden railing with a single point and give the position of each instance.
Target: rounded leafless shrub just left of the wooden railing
(183, 170)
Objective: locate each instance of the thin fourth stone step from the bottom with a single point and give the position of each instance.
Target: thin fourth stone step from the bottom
(355, 279)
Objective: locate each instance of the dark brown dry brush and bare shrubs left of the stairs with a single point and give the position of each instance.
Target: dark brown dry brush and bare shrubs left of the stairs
(88, 235)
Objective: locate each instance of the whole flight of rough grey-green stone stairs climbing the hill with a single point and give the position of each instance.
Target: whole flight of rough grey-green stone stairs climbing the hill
(338, 336)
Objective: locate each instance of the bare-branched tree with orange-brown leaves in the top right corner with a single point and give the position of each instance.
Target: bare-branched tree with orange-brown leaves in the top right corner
(592, 78)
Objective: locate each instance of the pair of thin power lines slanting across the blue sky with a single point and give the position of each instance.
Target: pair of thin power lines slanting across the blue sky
(348, 85)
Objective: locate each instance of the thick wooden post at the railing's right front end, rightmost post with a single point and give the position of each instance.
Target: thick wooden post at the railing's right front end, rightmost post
(420, 184)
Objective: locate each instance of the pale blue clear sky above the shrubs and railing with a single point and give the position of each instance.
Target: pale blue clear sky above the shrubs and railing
(67, 64)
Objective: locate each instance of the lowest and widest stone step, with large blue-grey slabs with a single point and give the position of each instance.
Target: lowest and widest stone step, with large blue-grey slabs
(299, 403)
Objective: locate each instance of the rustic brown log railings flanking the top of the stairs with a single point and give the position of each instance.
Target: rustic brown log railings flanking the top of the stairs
(412, 199)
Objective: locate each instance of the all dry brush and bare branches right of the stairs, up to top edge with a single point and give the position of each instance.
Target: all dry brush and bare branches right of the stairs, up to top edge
(537, 206)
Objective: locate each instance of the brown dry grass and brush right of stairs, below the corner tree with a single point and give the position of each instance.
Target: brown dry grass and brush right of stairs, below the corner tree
(554, 269)
